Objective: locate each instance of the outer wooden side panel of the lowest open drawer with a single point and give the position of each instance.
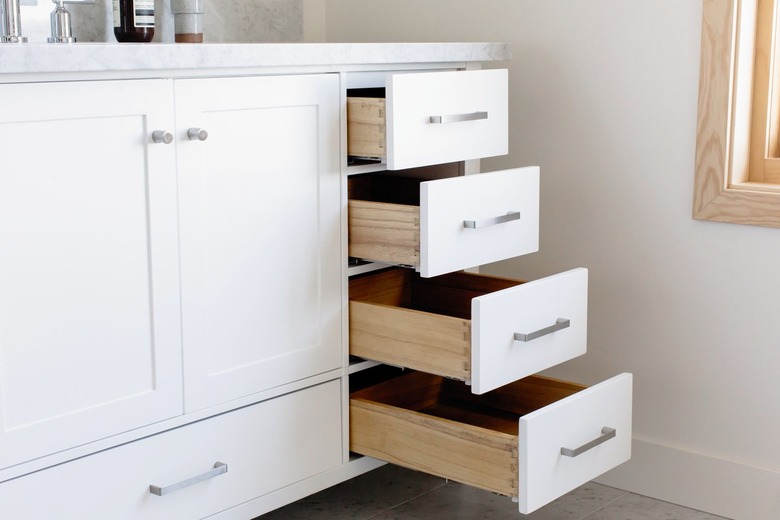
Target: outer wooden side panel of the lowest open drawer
(467, 454)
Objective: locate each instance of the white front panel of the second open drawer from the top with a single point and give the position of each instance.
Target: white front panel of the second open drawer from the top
(490, 202)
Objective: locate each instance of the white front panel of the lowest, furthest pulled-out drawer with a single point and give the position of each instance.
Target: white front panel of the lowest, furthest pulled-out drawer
(575, 422)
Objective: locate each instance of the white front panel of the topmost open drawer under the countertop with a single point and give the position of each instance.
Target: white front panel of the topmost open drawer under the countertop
(472, 106)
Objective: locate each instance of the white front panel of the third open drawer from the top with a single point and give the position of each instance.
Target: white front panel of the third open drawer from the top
(550, 318)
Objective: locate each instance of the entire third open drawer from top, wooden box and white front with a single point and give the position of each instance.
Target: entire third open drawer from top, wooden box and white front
(486, 330)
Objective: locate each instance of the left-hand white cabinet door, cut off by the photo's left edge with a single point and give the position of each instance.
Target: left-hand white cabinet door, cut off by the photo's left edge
(89, 297)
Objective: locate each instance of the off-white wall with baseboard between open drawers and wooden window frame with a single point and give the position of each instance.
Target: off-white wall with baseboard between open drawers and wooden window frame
(604, 99)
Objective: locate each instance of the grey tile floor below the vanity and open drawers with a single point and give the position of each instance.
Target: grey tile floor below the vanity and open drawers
(393, 493)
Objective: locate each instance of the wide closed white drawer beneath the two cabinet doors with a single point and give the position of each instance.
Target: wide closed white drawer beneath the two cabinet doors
(264, 446)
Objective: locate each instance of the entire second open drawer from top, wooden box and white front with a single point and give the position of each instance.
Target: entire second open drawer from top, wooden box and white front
(446, 224)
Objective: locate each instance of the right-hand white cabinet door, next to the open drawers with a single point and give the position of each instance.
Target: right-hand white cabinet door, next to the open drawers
(260, 233)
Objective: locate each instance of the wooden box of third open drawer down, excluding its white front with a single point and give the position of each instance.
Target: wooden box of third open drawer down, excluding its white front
(400, 319)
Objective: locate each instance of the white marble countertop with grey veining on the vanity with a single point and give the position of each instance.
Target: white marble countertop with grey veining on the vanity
(35, 58)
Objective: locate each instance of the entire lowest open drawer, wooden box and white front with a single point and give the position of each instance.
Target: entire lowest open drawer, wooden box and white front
(534, 440)
